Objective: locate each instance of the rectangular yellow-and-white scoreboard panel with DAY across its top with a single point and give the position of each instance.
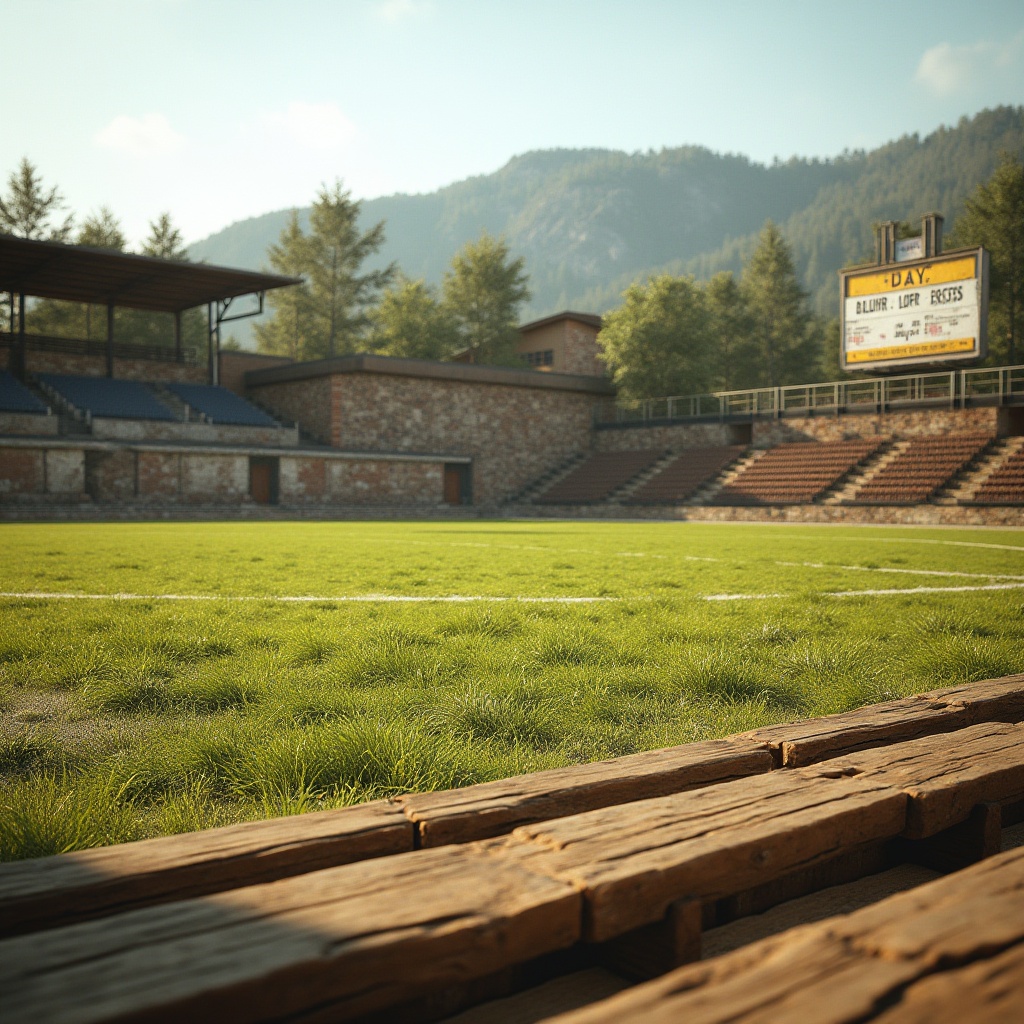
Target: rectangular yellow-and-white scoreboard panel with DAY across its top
(924, 312)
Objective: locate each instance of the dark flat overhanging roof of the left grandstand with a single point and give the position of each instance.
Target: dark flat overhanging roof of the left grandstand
(79, 274)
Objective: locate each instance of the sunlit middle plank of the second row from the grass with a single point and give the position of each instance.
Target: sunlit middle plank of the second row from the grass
(633, 861)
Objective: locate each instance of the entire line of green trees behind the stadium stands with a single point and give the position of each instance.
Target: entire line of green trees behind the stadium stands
(670, 335)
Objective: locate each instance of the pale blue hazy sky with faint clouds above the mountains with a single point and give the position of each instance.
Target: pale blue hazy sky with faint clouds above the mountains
(221, 110)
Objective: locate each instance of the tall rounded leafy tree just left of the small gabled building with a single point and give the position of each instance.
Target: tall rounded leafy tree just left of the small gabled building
(484, 291)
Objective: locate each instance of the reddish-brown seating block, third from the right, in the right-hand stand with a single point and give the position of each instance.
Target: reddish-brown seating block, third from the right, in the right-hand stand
(796, 475)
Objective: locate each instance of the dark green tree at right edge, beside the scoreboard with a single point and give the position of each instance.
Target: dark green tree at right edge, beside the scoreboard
(995, 219)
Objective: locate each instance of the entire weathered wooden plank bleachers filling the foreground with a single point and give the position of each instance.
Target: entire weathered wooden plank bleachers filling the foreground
(623, 866)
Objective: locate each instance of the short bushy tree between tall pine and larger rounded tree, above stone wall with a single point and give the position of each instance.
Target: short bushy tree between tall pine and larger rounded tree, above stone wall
(411, 323)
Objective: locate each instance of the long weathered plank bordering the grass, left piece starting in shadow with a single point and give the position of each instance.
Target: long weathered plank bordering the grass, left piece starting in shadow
(54, 891)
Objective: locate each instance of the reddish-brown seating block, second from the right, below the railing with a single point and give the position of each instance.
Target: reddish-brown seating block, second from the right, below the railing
(919, 472)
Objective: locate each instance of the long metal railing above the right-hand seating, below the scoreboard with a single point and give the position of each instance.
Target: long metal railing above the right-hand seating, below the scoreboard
(950, 390)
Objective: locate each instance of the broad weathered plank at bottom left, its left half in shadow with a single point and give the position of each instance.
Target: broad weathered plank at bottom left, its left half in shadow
(342, 944)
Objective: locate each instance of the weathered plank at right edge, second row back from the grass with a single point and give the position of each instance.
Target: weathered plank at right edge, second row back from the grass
(945, 778)
